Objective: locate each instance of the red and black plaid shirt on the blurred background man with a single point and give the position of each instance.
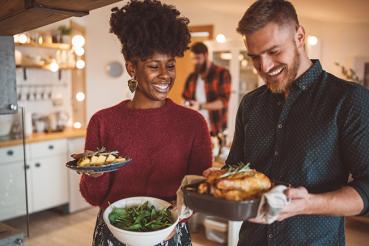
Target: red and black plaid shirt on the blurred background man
(217, 86)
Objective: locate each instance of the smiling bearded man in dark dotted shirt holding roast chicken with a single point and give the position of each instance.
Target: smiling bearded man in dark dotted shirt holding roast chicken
(304, 127)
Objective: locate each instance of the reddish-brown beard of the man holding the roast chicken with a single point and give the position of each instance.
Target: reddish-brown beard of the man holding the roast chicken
(286, 82)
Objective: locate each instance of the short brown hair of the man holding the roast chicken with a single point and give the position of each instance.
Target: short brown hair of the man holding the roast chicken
(262, 12)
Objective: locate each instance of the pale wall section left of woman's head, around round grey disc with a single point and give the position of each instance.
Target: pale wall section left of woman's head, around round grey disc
(102, 47)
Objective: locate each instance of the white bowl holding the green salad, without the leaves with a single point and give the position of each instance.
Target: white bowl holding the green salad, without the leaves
(139, 238)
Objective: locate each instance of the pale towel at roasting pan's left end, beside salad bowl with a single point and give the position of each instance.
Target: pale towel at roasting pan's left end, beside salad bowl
(183, 211)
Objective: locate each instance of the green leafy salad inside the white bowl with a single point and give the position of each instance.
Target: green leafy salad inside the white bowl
(141, 218)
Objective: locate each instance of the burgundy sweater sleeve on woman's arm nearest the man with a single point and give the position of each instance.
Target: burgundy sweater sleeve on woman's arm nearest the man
(200, 155)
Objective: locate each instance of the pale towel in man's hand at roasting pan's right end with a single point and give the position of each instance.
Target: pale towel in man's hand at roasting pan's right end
(271, 203)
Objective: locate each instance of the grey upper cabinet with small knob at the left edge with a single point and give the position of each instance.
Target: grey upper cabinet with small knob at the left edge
(8, 92)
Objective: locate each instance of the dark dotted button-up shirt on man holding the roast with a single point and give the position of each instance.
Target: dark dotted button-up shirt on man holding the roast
(315, 138)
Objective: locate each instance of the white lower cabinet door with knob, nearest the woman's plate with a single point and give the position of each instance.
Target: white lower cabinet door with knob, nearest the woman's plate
(49, 182)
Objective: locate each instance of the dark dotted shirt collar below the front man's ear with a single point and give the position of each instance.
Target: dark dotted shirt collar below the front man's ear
(310, 76)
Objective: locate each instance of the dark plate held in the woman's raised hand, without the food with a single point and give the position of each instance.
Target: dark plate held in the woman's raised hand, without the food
(98, 169)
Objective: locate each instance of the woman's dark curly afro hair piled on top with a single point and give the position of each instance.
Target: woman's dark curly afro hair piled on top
(145, 27)
